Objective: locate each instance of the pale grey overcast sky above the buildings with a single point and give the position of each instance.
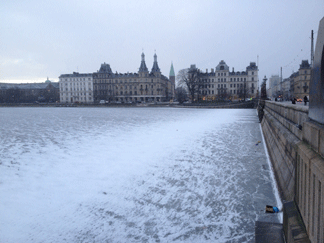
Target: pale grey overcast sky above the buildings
(45, 38)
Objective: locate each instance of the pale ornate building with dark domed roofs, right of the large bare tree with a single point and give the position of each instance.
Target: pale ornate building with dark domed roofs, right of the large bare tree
(222, 83)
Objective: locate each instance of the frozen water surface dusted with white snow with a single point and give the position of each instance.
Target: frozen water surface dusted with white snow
(132, 175)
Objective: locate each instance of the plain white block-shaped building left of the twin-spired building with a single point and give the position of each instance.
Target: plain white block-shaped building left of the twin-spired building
(76, 88)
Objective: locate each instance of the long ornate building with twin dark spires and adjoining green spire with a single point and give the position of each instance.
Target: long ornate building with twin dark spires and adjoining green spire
(143, 86)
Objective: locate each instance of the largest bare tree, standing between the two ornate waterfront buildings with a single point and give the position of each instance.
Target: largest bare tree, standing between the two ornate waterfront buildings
(189, 78)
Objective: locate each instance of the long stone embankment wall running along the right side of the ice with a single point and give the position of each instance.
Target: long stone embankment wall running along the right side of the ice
(296, 150)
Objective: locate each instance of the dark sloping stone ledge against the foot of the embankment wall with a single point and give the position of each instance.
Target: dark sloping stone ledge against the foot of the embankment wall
(294, 227)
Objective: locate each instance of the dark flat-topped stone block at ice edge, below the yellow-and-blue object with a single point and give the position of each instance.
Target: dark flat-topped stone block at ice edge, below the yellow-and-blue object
(267, 232)
